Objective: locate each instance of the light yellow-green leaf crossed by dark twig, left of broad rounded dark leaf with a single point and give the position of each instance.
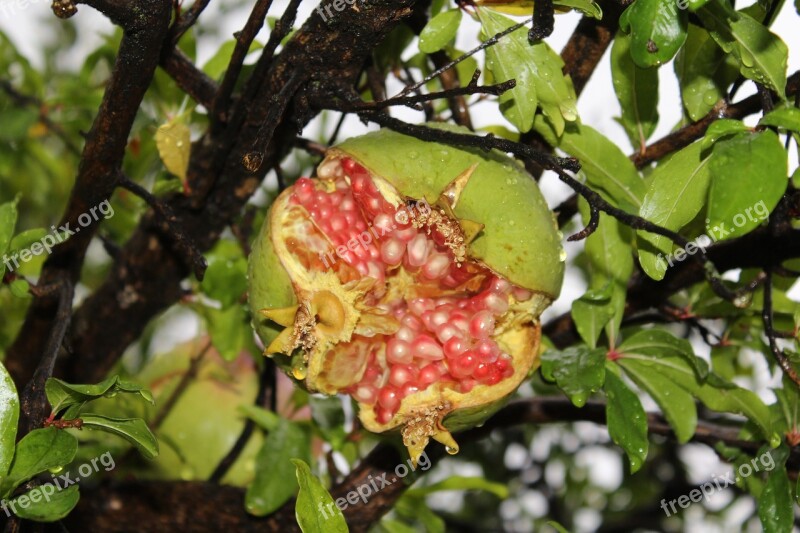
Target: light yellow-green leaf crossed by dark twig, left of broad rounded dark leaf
(677, 192)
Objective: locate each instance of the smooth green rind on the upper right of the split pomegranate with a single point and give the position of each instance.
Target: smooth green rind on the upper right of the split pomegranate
(520, 239)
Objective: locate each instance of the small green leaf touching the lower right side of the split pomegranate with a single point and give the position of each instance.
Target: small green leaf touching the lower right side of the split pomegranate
(578, 371)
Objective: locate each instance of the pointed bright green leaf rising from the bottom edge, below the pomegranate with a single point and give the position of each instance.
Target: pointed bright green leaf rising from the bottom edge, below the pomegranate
(312, 499)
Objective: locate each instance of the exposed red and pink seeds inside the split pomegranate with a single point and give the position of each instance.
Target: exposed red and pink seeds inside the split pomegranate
(446, 310)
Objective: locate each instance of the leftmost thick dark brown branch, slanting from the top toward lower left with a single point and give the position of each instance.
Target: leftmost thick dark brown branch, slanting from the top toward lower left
(100, 163)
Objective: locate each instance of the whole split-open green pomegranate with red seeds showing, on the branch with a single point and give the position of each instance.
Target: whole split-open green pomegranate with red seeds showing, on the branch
(410, 276)
